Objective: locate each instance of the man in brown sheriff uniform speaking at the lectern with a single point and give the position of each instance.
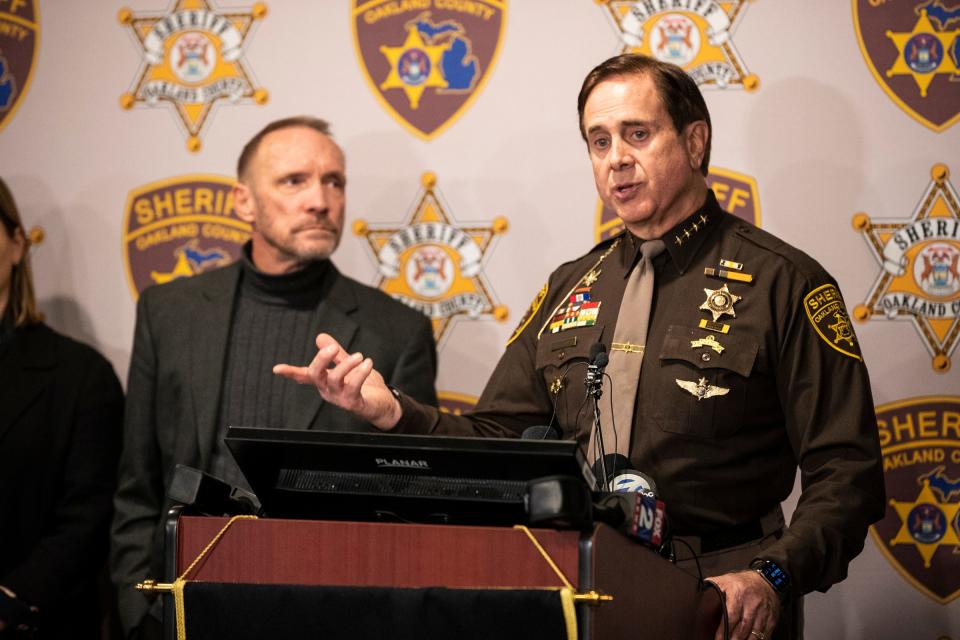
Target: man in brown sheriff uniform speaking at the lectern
(750, 367)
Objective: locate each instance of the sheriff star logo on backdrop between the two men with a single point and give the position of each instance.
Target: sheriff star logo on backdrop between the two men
(434, 265)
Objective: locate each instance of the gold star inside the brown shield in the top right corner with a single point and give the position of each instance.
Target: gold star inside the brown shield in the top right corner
(923, 53)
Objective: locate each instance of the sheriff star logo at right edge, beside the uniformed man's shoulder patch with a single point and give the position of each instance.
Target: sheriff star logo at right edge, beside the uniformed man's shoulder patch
(920, 276)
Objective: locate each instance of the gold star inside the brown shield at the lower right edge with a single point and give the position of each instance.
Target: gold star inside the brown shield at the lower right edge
(925, 523)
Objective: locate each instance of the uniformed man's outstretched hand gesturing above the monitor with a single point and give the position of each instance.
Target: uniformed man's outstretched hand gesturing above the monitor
(348, 381)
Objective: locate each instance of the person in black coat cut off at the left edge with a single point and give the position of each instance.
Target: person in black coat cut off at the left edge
(61, 409)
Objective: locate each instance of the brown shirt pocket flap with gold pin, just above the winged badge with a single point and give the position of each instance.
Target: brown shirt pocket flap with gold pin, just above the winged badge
(706, 350)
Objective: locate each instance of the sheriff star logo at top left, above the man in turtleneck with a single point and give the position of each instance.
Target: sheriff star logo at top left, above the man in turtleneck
(193, 60)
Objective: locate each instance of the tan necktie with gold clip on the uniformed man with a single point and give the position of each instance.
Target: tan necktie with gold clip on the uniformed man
(626, 356)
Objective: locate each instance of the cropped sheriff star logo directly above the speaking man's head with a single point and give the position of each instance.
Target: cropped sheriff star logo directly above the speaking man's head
(695, 35)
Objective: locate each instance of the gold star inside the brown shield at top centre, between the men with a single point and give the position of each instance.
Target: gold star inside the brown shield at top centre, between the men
(414, 66)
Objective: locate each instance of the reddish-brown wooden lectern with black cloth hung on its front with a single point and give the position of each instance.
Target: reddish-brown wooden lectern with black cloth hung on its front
(651, 597)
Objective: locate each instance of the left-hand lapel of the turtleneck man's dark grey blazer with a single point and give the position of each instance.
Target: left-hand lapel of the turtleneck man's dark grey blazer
(210, 331)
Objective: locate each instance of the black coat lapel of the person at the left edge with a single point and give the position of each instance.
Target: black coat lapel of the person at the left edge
(23, 374)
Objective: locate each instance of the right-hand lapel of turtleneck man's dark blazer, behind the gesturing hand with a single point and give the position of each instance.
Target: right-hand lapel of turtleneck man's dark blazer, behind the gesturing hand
(334, 315)
